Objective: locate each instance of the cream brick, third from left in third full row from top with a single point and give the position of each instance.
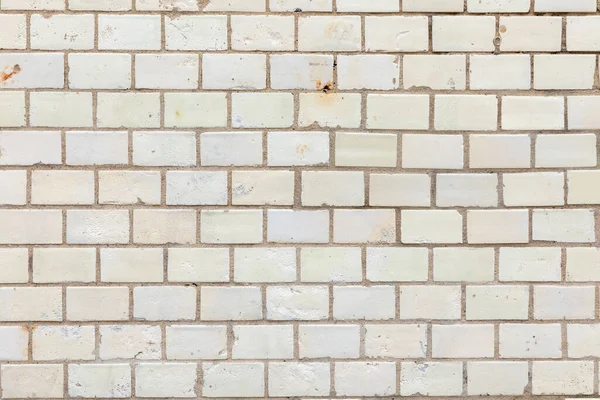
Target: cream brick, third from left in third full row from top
(128, 110)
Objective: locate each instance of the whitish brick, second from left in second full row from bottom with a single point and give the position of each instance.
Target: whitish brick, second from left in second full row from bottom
(63, 342)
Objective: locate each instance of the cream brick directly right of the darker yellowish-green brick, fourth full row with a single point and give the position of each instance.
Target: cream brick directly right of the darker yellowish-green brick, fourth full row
(432, 151)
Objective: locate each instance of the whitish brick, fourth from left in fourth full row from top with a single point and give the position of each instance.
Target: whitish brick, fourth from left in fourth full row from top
(231, 148)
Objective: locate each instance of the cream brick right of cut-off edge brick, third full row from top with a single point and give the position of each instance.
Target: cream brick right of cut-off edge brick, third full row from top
(61, 109)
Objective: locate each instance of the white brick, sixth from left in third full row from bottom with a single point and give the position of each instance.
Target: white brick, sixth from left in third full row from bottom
(361, 302)
